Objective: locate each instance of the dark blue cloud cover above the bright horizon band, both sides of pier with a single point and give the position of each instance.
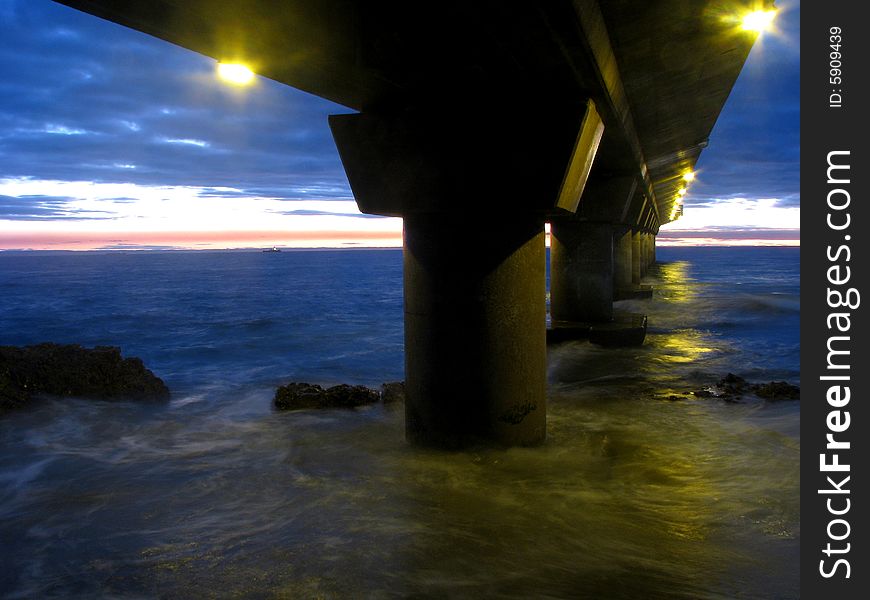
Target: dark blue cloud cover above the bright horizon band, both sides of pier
(85, 99)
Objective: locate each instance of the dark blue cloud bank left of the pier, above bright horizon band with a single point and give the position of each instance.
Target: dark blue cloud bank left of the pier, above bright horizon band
(84, 99)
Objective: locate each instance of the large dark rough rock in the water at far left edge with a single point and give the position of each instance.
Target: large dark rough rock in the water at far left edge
(71, 370)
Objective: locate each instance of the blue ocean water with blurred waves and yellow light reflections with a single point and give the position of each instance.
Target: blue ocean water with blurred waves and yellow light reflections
(214, 494)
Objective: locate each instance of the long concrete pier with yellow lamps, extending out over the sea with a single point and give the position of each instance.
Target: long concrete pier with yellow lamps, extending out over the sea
(479, 122)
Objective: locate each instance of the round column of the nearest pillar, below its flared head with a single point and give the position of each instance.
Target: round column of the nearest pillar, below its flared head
(475, 330)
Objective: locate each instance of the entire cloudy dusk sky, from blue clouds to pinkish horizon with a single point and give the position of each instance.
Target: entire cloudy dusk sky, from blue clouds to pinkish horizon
(111, 139)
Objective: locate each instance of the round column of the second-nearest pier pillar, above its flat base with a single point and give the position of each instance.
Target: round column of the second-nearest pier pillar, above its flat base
(581, 271)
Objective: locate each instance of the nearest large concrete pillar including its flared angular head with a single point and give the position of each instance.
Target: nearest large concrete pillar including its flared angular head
(473, 186)
